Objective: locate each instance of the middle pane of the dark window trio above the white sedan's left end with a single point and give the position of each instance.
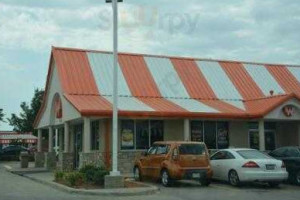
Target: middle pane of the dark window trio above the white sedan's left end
(210, 134)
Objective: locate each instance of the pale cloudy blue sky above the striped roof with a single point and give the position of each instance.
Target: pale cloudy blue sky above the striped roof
(250, 30)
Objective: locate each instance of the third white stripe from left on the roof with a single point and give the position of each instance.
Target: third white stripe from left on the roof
(220, 83)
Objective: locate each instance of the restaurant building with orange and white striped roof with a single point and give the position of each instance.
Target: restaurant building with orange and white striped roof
(223, 103)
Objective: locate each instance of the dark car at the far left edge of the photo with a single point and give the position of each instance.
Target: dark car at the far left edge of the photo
(12, 152)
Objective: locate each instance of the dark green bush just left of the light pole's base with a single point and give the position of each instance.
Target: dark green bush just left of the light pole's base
(93, 174)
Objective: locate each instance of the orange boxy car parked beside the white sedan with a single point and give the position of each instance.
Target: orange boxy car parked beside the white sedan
(171, 161)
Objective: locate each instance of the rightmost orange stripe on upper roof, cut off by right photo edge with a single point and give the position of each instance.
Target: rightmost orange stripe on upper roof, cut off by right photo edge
(285, 78)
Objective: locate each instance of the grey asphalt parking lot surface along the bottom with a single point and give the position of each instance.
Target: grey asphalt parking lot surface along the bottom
(17, 187)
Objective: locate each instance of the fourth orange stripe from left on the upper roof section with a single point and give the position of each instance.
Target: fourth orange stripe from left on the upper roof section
(242, 80)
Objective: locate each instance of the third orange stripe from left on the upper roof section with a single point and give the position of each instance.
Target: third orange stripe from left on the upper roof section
(193, 79)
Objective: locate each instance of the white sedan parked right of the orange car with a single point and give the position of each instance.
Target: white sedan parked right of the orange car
(247, 165)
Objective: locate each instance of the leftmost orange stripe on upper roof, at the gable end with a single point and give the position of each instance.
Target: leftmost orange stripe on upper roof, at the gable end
(74, 71)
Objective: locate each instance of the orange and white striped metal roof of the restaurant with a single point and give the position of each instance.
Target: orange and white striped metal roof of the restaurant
(162, 86)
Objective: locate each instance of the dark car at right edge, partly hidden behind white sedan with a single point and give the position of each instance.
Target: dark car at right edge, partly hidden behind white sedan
(291, 158)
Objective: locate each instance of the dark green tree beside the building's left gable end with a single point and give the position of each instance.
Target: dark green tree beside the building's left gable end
(24, 122)
